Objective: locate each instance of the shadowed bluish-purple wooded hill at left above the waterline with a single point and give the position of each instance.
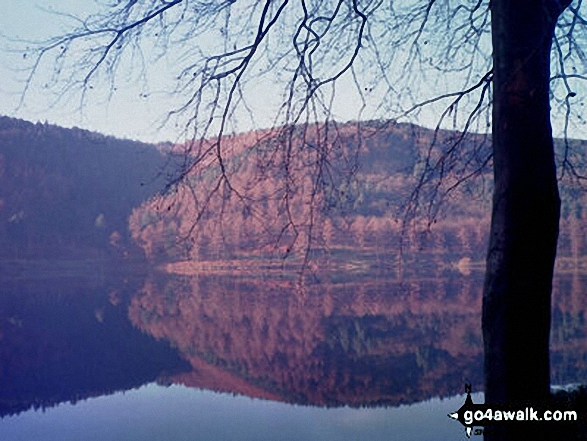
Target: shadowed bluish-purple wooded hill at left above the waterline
(68, 193)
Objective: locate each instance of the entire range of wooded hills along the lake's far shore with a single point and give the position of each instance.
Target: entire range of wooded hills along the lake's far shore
(73, 194)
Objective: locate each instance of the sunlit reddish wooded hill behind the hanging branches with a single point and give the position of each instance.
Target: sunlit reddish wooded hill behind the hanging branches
(357, 209)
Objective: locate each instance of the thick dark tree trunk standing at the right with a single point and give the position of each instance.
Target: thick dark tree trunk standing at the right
(526, 207)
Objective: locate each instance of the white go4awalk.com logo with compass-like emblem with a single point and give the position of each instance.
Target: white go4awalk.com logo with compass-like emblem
(473, 415)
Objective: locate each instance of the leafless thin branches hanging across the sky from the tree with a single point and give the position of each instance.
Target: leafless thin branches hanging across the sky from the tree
(376, 55)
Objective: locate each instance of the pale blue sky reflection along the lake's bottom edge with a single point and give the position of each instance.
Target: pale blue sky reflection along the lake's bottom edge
(190, 415)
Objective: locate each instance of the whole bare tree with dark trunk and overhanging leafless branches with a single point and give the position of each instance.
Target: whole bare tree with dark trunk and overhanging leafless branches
(497, 65)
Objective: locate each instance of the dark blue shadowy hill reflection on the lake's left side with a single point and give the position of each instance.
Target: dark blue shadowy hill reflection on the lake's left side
(72, 340)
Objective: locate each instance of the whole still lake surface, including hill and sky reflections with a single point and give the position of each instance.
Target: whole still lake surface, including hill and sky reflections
(214, 357)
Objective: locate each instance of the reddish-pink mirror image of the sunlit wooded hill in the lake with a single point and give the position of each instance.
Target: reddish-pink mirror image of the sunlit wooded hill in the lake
(365, 343)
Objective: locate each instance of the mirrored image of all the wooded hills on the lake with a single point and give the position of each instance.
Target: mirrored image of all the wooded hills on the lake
(368, 342)
